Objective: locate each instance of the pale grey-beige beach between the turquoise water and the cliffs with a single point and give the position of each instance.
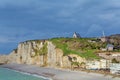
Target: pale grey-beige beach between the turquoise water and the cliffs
(58, 74)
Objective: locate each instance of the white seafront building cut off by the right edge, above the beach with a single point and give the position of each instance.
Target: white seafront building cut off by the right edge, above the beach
(115, 68)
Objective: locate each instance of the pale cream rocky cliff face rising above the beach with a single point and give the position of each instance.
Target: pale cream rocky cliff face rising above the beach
(42, 53)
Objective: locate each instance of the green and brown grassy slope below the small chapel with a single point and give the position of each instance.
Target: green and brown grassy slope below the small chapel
(80, 46)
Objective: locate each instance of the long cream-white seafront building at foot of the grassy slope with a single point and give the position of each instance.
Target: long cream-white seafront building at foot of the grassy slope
(96, 65)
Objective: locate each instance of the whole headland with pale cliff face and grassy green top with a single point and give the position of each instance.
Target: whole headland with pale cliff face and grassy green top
(57, 52)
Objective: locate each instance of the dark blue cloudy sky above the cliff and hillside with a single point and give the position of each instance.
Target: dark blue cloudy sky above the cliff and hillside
(22, 20)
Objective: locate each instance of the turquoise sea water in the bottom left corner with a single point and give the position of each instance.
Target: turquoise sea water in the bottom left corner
(7, 74)
